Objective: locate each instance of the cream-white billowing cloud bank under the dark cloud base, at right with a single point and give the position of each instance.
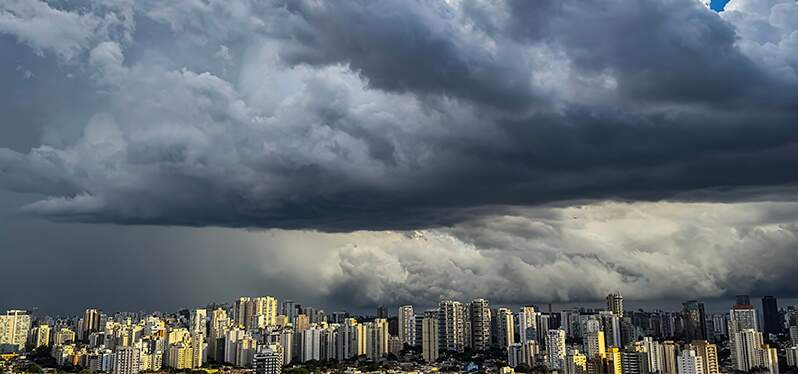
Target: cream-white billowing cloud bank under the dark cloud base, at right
(648, 251)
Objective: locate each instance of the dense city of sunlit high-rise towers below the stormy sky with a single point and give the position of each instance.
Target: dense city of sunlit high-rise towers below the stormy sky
(265, 336)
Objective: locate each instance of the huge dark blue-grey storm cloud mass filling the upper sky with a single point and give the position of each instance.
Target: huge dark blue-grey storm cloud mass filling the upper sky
(364, 115)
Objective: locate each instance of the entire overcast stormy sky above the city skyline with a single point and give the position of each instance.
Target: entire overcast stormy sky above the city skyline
(161, 154)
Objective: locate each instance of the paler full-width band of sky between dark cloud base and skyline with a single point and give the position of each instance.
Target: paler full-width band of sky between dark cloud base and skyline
(648, 251)
